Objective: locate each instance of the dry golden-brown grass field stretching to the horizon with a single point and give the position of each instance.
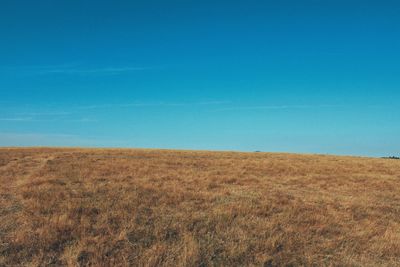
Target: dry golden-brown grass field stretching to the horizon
(98, 207)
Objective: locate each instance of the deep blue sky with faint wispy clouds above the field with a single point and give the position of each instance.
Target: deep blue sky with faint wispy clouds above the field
(291, 76)
